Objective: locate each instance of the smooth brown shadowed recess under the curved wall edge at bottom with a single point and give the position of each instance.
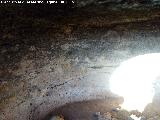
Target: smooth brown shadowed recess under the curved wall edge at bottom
(86, 110)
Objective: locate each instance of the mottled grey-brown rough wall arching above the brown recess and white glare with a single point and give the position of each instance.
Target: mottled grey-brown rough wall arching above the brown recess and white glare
(52, 58)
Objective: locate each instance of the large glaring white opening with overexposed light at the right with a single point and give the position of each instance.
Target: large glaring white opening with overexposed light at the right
(134, 80)
